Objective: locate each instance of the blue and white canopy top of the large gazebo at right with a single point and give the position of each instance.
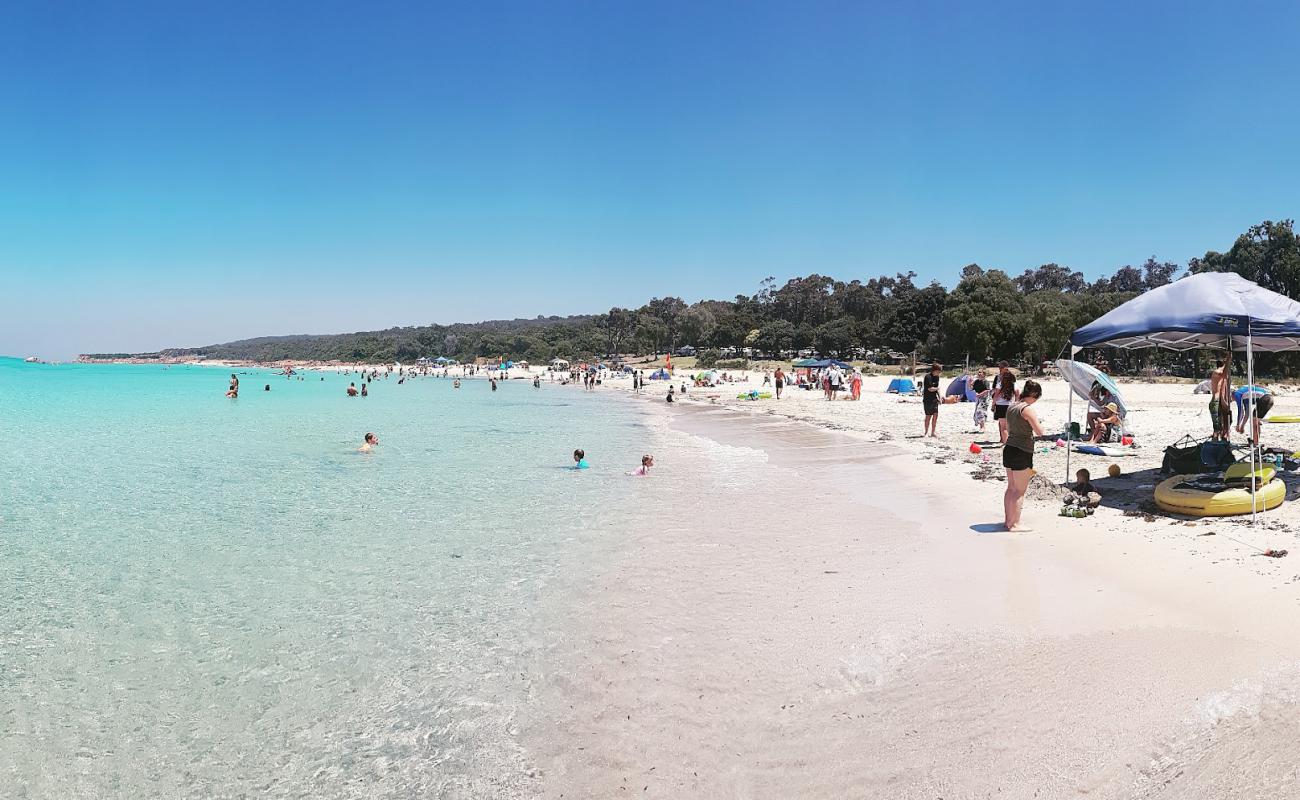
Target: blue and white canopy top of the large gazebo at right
(1199, 312)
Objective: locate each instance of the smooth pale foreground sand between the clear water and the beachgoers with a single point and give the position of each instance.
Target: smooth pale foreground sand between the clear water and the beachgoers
(896, 648)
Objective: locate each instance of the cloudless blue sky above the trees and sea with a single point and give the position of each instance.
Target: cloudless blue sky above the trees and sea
(187, 174)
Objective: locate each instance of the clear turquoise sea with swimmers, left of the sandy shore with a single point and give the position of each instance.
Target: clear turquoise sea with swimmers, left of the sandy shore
(222, 598)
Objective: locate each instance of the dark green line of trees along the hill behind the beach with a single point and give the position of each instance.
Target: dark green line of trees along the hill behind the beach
(989, 314)
